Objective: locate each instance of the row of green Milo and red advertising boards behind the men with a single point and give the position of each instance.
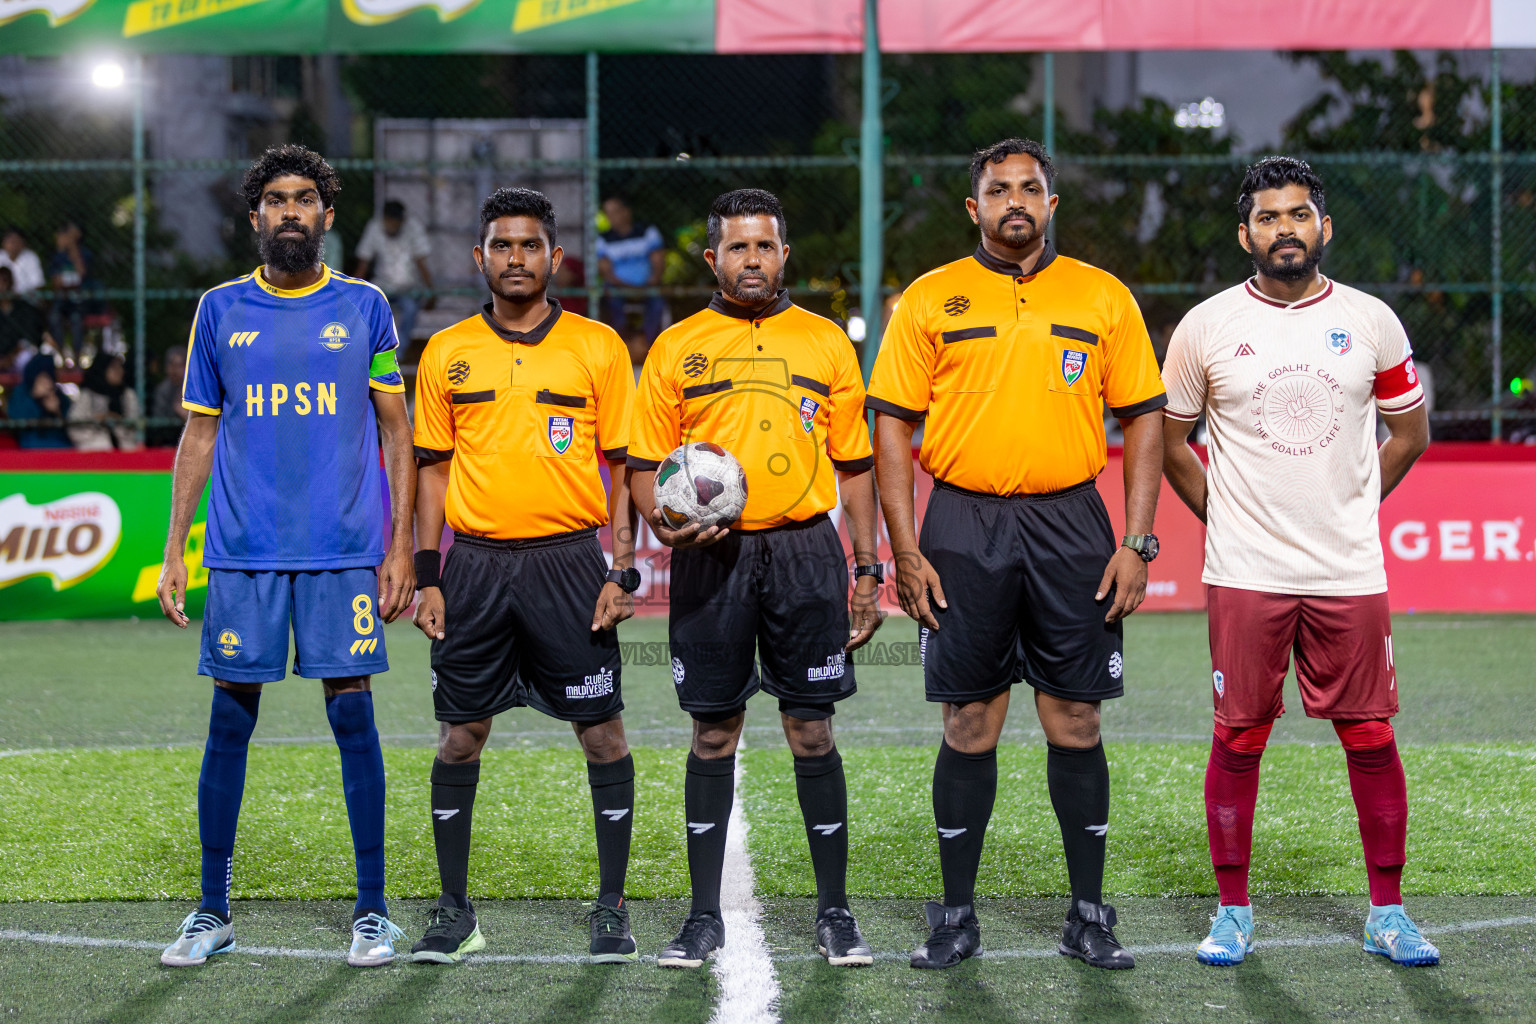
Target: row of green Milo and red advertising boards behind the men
(1460, 535)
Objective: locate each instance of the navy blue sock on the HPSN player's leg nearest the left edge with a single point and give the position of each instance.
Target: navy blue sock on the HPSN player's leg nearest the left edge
(220, 788)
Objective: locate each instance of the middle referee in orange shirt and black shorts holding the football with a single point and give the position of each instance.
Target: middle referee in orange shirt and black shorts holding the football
(781, 389)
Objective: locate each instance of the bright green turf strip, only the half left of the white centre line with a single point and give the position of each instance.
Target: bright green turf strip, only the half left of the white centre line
(122, 825)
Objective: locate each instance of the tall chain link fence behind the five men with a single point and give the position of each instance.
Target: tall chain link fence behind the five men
(644, 142)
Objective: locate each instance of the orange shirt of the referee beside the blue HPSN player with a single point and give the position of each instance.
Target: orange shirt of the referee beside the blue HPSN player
(525, 417)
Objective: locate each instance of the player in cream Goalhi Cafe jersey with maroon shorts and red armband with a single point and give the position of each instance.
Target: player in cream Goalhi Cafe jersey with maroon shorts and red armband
(1289, 371)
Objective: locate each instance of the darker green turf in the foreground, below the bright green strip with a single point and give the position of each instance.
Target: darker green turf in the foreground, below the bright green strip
(1308, 968)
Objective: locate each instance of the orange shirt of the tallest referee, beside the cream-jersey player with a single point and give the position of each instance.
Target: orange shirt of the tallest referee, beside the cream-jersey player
(1013, 371)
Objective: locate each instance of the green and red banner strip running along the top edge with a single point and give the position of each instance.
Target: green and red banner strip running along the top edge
(753, 27)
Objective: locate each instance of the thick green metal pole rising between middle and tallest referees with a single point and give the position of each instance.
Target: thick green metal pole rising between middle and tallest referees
(872, 193)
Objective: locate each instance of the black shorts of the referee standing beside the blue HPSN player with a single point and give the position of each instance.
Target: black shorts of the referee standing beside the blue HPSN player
(518, 632)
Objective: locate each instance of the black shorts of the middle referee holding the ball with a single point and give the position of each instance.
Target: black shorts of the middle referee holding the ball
(780, 595)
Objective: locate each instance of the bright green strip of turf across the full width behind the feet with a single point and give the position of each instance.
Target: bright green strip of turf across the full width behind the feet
(122, 825)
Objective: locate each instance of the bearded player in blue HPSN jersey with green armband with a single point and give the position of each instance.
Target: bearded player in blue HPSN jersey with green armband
(288, 371)
